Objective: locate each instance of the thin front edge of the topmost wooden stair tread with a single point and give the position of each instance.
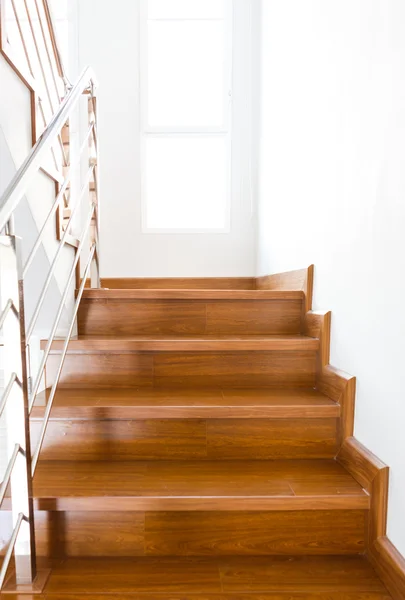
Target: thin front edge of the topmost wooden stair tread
(190, 294)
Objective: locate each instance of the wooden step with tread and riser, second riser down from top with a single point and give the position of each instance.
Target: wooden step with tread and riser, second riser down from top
(187, 361)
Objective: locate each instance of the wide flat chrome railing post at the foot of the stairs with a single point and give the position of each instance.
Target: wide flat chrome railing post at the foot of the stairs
(17, 416)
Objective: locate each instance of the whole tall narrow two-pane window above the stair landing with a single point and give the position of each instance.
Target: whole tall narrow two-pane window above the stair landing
(186, 115)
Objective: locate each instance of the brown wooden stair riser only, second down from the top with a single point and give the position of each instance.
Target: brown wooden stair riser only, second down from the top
(278, 368)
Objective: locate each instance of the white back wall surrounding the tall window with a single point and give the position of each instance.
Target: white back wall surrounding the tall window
(109, 41)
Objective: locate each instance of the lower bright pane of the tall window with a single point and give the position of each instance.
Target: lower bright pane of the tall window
(186, 182)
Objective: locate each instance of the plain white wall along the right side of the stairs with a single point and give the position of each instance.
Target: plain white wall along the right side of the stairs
(332, 193)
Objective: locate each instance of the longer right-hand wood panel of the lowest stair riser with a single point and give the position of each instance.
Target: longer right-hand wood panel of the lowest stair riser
(258, 533)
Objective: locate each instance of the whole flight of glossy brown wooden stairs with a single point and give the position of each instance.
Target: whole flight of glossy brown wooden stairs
(194, 451)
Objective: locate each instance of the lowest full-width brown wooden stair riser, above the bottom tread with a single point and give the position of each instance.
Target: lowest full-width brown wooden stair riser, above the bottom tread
(62, 534)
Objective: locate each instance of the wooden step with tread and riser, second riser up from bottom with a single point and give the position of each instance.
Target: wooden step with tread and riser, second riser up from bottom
(176, 424)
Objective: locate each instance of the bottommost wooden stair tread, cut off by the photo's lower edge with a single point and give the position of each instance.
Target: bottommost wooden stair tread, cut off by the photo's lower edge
(215, 578)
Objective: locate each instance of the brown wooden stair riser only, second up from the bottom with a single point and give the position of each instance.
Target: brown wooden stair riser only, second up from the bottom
(188, 439)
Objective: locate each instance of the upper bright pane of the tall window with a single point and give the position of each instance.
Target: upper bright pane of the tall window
(186, 88)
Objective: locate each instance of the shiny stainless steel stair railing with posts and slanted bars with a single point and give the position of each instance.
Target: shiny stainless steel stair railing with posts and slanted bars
(21, 390)
